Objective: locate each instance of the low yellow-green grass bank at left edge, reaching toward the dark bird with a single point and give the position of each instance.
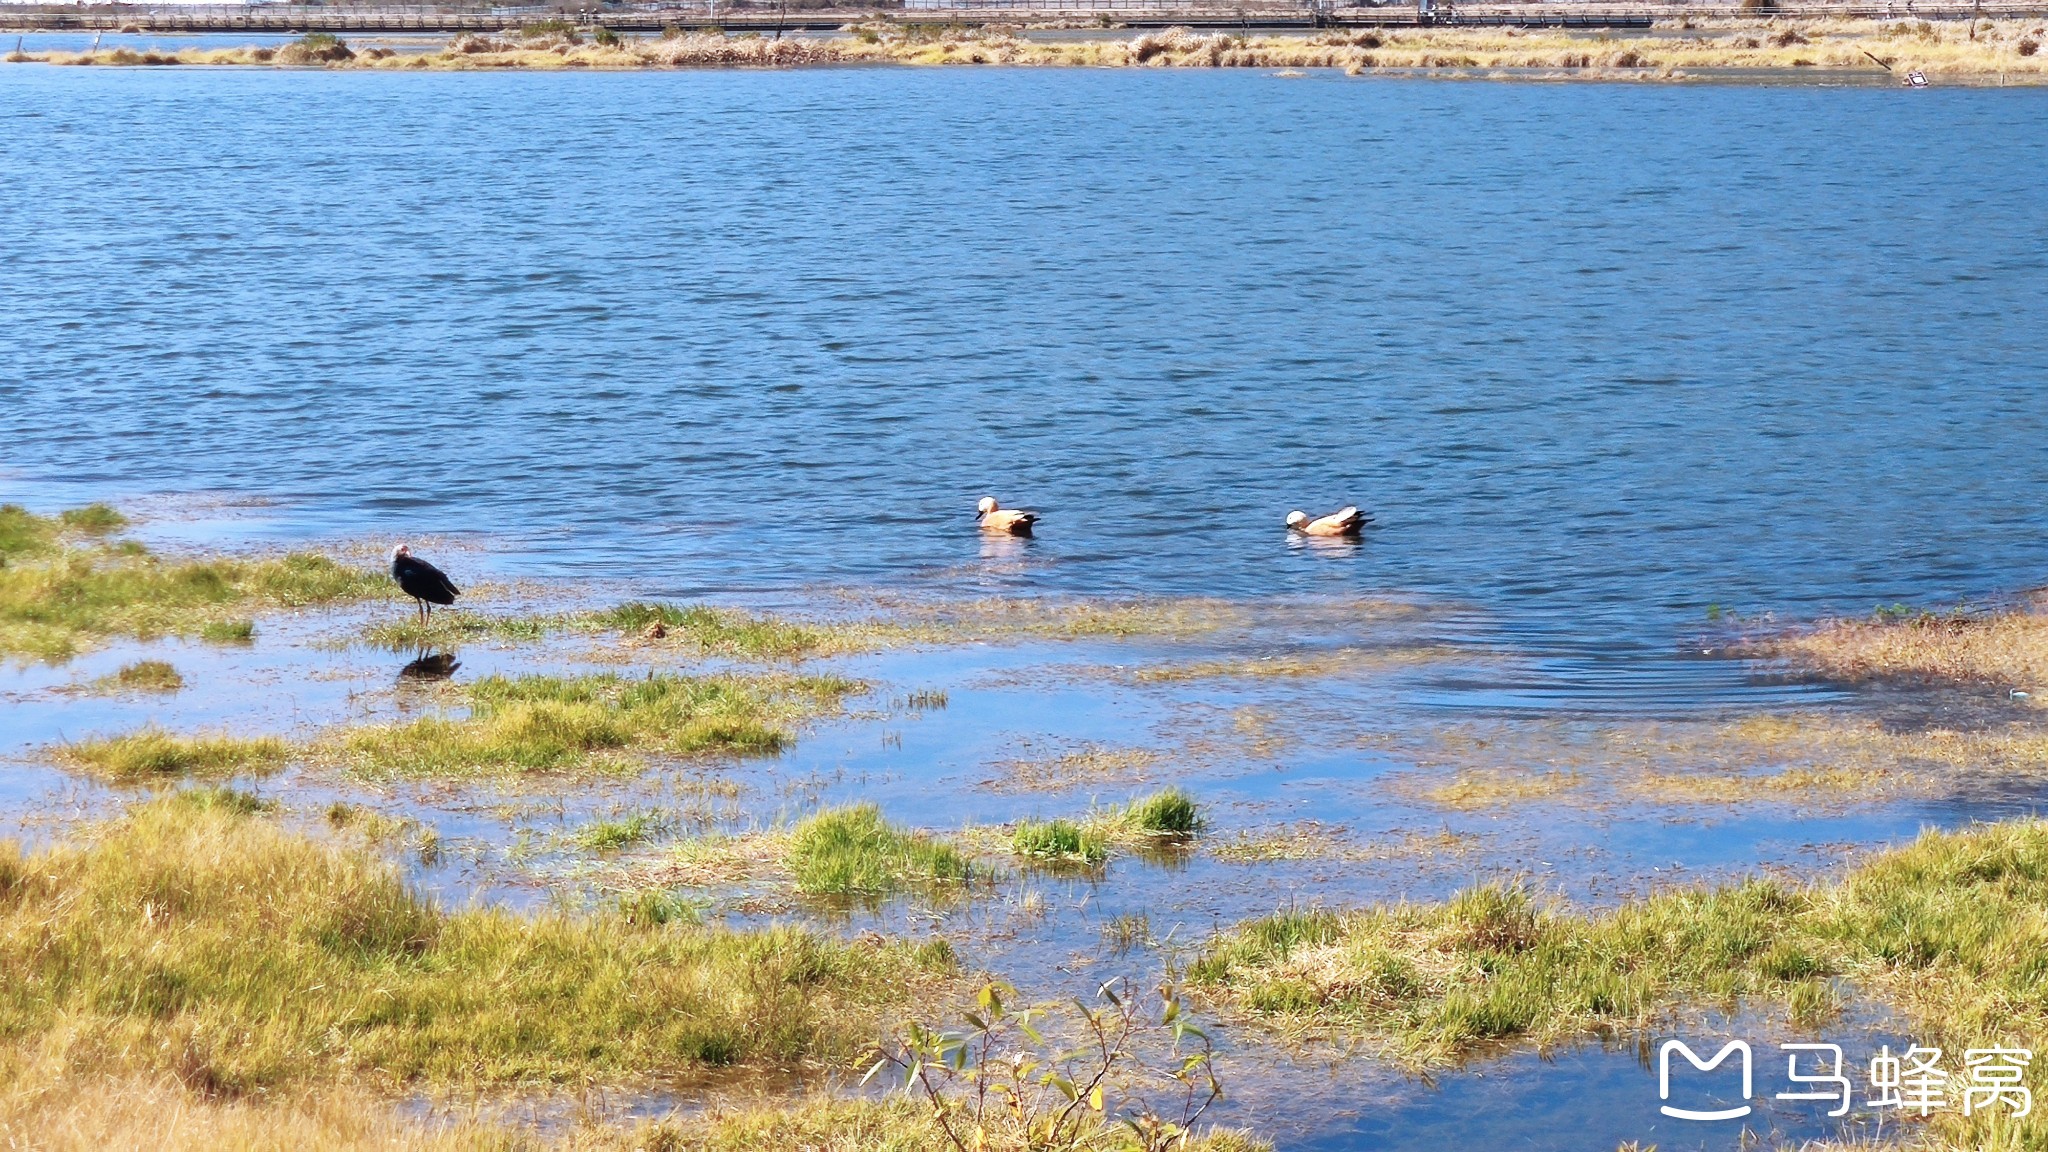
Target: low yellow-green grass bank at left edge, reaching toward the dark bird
(65, 585)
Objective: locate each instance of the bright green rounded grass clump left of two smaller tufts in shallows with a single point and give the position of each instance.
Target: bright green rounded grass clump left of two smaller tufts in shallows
(853, 852)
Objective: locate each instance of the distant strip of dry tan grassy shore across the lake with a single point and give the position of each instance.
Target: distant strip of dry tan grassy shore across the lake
(1959, 52)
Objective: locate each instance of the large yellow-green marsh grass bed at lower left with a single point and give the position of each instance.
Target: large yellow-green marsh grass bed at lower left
(239, 956)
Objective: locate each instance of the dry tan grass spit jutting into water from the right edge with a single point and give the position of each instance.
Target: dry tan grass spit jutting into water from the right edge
(2006, 649)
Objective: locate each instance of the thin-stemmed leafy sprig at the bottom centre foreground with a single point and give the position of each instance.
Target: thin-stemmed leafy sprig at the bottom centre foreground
(1005, 1083)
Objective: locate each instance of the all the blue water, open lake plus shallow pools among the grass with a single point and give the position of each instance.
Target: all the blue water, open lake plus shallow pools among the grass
(1598, 356)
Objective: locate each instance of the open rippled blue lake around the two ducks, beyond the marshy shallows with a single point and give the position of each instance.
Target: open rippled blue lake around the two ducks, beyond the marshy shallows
(1598, 356)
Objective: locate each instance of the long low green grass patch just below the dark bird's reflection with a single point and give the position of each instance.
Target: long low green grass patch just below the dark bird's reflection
(534, 725)
